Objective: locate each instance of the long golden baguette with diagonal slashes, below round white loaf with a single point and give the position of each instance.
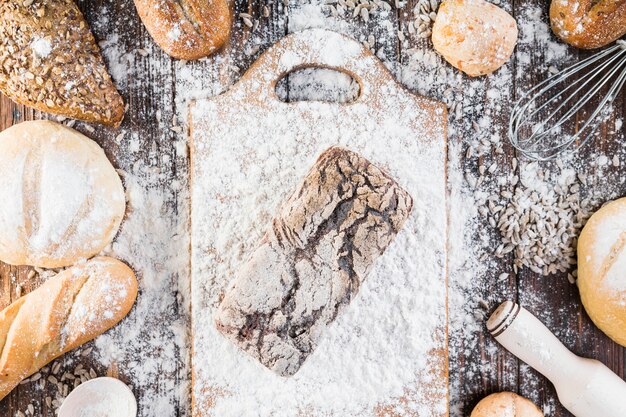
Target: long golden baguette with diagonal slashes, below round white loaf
(67, 311)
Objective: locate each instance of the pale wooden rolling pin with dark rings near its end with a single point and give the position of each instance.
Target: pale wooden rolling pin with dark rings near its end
(586, 387)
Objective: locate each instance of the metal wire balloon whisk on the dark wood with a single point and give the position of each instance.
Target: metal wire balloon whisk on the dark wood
(541, 117)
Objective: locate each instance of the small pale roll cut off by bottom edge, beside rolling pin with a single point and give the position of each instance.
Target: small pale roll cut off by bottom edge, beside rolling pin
(506, 404)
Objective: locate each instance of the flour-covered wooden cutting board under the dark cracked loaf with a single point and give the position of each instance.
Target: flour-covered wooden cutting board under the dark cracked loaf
(386, 352)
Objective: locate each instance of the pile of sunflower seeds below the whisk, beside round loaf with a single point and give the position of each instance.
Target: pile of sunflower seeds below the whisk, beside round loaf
(540, 221)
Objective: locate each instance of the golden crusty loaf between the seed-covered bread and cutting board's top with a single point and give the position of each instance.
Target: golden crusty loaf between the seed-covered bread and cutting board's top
(186, 29)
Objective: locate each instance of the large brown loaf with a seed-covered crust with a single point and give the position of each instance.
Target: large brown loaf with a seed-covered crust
(49, 60)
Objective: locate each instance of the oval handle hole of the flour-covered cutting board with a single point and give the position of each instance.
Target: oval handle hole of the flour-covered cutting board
(318, 84)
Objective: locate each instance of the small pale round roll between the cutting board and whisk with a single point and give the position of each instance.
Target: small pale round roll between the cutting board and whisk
(474, 36)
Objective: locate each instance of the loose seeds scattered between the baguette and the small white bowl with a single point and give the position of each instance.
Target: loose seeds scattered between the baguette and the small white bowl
(64, 382)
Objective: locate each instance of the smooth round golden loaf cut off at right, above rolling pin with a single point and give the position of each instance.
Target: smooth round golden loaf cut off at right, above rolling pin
(602, 269)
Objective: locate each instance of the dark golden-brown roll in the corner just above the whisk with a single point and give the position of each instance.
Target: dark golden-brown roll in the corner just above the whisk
(588, 23)
